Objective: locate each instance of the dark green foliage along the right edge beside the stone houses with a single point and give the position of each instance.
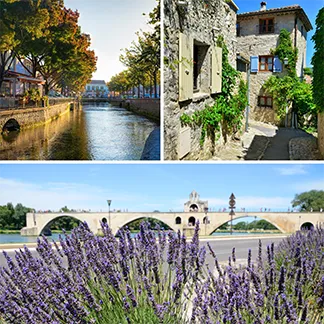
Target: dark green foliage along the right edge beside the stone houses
(318, 62)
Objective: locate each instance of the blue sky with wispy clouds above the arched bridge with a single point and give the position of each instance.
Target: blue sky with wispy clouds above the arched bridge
(149, 187)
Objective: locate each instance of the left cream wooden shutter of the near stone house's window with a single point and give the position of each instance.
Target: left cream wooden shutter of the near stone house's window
(185, 67)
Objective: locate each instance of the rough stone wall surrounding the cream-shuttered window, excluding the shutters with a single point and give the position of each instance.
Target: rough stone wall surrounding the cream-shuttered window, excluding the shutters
(204, 23)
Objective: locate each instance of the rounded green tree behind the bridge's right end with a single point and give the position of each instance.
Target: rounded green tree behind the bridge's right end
(306, 201)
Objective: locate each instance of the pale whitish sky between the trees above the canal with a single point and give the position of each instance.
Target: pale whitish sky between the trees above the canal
(112, 26)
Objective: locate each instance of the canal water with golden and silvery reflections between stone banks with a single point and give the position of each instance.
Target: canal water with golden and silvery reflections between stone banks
(98, 131)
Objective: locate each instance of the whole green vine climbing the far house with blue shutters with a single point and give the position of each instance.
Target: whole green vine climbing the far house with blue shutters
(288, 89)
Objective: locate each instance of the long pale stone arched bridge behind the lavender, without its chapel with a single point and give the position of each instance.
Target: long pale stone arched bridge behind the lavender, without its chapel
(288, 222)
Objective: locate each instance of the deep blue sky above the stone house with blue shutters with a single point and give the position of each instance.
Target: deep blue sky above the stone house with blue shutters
(311, 8)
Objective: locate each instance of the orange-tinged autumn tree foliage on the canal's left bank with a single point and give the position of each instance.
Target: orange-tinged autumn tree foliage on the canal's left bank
(47, 36)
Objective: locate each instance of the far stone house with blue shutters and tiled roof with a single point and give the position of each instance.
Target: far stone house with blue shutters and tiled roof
(257, 34)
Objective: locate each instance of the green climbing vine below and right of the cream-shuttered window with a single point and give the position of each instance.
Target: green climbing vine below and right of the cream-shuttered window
(226, 113)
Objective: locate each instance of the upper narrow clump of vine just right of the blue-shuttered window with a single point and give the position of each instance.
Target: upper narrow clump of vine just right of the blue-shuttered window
(286, 49)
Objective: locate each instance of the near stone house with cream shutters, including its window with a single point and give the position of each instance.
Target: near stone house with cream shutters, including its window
(193, 68)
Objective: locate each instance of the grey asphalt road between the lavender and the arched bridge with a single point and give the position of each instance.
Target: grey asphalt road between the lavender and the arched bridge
(221, 246)
